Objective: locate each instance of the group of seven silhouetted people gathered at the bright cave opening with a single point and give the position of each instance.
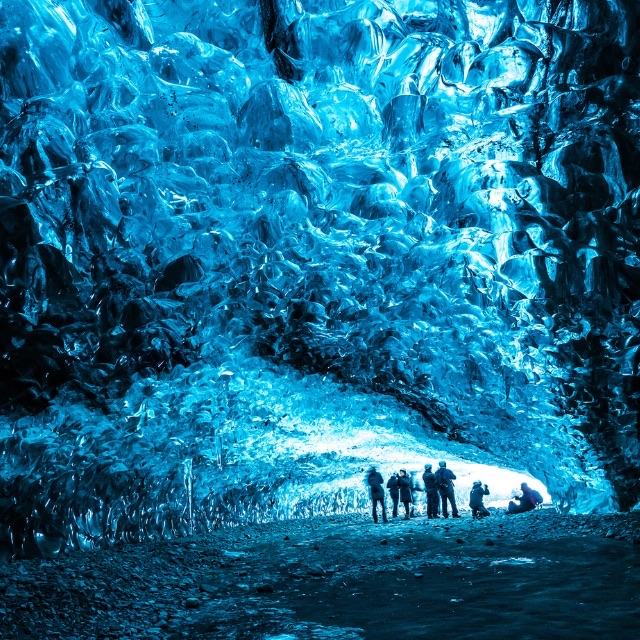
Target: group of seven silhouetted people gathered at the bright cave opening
(404, 488)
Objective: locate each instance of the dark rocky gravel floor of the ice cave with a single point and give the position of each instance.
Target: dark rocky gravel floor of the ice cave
(535, 575)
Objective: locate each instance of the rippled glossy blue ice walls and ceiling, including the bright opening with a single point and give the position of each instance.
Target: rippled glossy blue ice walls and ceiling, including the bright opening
(248, 247)
